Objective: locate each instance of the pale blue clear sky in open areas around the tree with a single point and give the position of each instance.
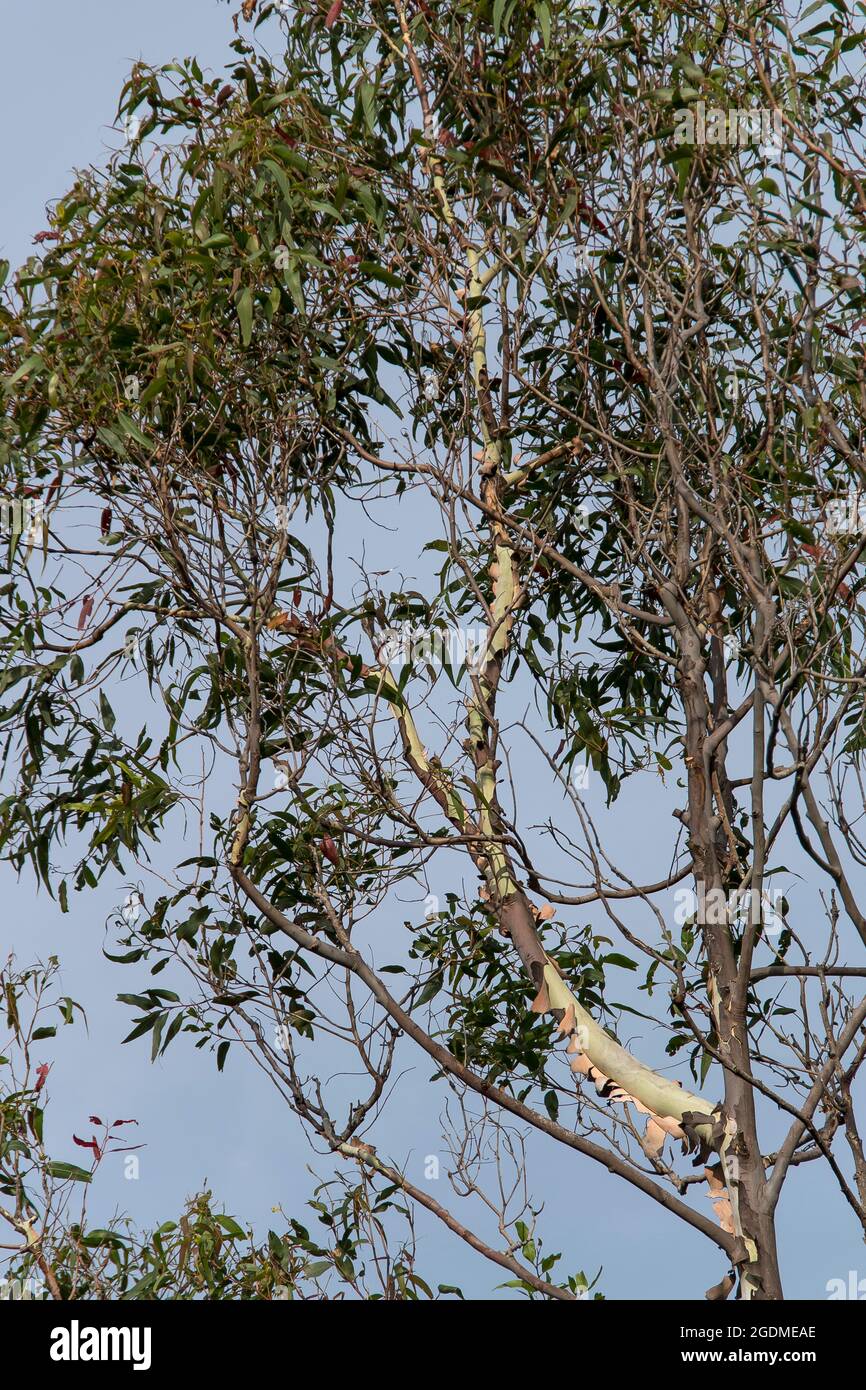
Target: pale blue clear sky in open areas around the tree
(63, 66)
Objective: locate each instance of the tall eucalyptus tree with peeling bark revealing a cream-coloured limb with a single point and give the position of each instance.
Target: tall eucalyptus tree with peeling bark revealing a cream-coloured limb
(575, 295)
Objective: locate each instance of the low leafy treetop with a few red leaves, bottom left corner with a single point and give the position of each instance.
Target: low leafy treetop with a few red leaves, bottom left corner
(58, 1253)
